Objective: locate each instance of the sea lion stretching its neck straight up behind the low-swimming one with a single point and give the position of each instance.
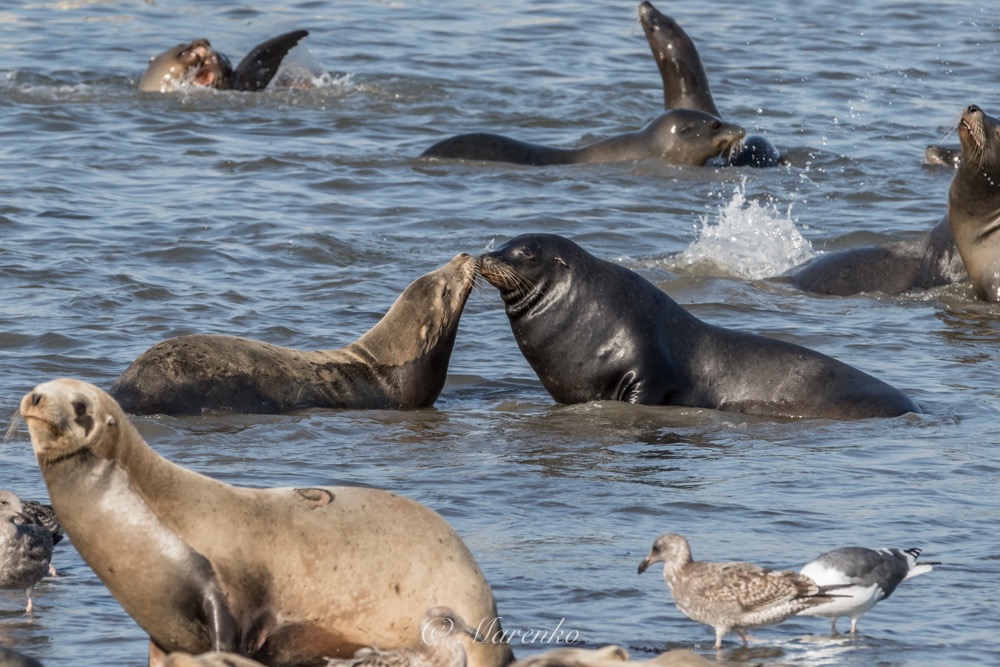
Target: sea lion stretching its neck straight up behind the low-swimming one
(685, 84)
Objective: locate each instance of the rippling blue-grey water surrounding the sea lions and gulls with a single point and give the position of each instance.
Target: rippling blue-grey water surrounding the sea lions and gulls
(297, 217)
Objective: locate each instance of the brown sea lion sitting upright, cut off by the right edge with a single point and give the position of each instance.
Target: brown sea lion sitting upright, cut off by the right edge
(974, 201)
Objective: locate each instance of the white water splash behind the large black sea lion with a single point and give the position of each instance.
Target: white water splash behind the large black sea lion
(747, 240)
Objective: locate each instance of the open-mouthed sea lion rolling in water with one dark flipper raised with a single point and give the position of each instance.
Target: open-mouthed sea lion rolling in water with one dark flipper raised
(196, 63)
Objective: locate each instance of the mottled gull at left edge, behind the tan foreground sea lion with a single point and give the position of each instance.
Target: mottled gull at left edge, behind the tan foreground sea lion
(25, 547)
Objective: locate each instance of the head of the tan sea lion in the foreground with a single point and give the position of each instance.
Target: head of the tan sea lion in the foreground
(68, 417)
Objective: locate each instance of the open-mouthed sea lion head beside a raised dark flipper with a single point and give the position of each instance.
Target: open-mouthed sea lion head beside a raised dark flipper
(195, 64)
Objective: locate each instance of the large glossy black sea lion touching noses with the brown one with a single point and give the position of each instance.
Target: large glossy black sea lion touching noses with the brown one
(593, 330)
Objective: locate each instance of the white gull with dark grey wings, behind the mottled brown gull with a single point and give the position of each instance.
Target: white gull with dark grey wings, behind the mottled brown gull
(863, 578)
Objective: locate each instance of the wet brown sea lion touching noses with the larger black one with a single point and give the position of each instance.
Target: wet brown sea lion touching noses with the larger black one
(402, 362)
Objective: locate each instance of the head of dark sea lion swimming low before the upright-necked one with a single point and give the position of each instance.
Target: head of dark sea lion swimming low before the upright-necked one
(689, 136)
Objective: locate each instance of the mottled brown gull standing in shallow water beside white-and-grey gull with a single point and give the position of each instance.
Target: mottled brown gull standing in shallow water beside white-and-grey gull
(731, 596)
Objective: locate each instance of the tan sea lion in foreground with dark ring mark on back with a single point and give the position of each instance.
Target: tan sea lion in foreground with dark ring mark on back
(283, 576)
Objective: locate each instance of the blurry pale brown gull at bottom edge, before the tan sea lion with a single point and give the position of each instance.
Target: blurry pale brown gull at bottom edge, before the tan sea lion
(439, 645)
